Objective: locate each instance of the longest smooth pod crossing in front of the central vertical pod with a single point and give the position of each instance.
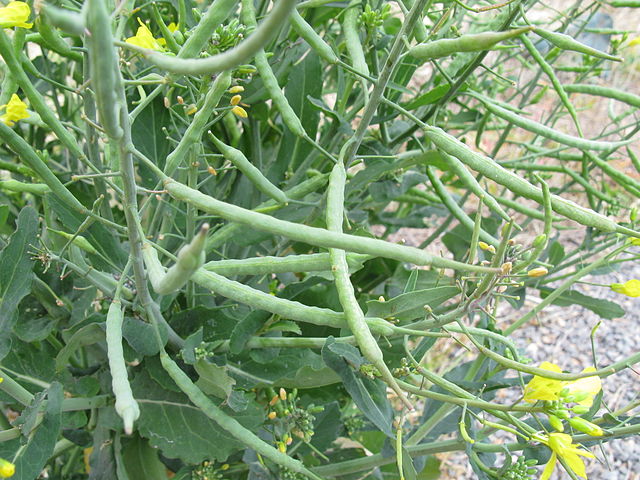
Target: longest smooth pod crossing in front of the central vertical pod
(312, 235)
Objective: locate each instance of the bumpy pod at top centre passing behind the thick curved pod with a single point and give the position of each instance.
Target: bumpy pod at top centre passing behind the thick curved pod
(269, 79)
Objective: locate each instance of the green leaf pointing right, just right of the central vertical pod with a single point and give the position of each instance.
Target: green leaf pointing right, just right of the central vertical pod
(409, 306)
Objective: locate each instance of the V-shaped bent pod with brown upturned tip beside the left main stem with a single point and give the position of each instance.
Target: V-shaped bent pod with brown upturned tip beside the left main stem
(190, 258)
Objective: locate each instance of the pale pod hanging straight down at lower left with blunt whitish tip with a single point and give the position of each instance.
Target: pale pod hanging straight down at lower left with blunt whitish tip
(126, 406)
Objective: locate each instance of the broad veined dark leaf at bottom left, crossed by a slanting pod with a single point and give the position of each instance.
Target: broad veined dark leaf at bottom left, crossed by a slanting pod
(180, 430)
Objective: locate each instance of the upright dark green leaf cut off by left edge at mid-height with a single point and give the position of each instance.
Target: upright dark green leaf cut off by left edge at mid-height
(16, 268)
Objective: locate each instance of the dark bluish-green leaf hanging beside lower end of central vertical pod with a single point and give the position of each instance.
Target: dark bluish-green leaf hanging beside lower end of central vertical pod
(369, 395)
